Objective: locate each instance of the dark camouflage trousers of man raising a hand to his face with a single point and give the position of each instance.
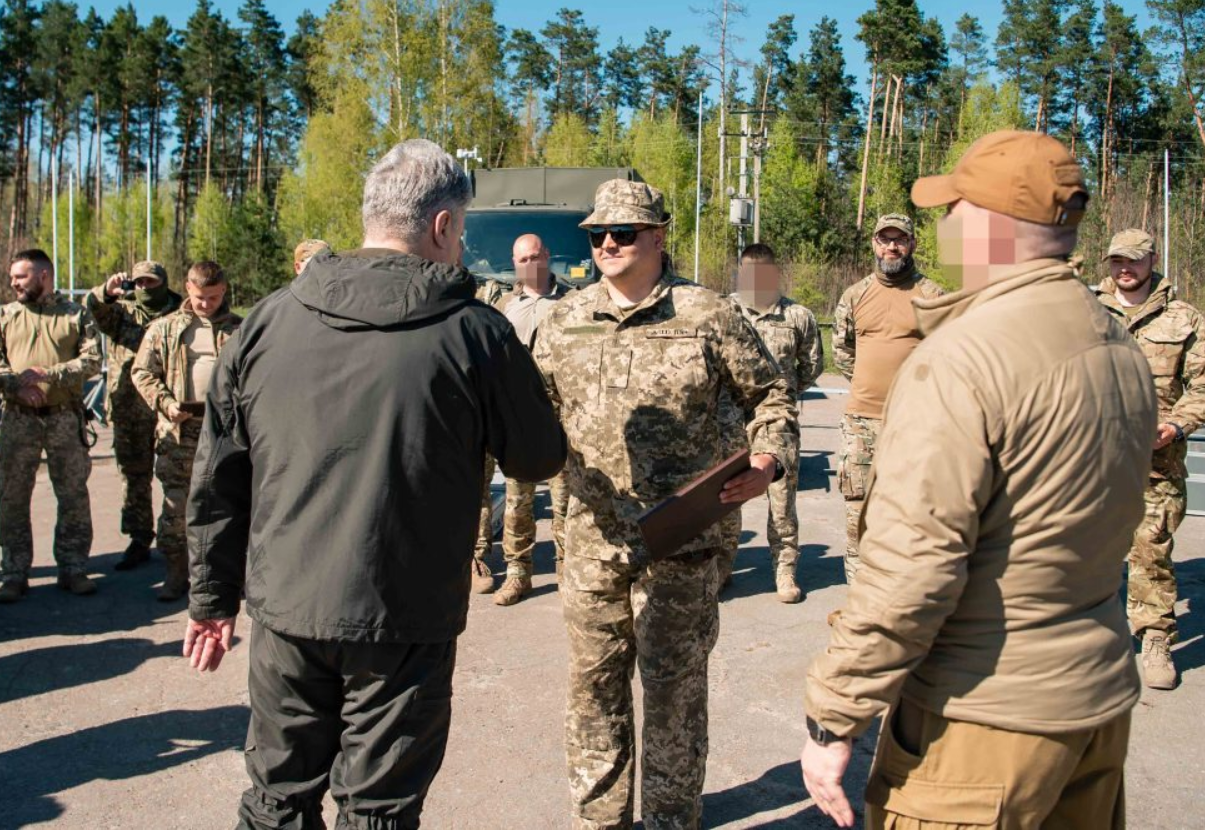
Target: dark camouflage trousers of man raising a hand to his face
(134, 429)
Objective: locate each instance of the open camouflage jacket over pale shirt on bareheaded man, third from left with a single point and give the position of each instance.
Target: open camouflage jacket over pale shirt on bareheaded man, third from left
(161, 369)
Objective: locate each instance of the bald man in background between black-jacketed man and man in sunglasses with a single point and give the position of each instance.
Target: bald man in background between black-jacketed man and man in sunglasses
(526, 309)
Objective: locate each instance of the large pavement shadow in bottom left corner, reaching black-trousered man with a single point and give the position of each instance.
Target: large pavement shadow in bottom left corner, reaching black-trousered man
(128, 749)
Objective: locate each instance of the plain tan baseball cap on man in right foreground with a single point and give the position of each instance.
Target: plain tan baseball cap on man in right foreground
(1025, 175)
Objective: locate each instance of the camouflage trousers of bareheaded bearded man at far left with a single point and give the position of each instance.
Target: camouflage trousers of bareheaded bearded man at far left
(23, 437)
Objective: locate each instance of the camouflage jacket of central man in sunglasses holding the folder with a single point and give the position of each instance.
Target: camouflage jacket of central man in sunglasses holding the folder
(639, 393)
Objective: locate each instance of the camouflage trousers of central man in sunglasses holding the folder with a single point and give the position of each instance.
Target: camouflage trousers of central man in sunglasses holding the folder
(662, 620)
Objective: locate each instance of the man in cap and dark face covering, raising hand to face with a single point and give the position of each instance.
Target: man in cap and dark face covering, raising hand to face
(124, 317)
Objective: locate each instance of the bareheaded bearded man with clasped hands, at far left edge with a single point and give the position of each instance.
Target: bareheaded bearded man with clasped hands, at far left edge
(49, 348)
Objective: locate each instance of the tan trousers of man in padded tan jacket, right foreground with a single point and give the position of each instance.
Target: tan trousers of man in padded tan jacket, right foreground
(969, 776)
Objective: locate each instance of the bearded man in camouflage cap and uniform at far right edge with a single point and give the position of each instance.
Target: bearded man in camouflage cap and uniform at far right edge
(1172, 334)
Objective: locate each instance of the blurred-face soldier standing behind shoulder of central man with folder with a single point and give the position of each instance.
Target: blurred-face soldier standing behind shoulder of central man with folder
(790, 333)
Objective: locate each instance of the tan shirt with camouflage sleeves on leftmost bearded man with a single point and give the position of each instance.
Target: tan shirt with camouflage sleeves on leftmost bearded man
(60, 337)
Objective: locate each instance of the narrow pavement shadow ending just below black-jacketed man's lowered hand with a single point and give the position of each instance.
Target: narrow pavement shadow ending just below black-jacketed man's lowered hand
(36, 672)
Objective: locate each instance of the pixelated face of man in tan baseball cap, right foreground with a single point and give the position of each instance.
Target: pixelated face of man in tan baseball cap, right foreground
(972, 240)
